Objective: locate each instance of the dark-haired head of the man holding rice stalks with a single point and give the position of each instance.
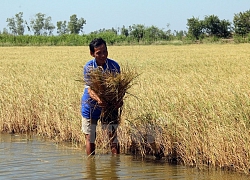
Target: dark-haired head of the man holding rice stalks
(98, 49)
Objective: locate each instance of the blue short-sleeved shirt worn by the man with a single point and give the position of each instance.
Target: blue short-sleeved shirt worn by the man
(89, 107)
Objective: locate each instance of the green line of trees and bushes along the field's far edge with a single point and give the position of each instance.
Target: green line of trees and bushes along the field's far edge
(71, 32)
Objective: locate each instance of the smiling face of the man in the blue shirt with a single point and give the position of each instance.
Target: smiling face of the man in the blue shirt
(100, 54)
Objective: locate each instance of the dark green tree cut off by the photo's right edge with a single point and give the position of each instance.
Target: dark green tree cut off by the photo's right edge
(241, 23)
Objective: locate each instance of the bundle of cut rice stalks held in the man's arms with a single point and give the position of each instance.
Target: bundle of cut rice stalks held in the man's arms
(111, 88)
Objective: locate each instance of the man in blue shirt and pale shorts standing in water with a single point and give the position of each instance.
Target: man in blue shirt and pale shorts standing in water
(91, 103)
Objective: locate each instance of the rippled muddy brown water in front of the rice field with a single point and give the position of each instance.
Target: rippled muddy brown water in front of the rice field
(23, 157)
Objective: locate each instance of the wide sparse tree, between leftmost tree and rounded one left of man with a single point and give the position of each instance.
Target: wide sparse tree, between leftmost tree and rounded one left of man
(42, 25)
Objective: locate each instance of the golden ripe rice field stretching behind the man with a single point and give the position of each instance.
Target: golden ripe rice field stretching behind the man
(193, 101)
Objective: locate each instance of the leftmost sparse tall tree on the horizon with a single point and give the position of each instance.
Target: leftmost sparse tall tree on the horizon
(16, 24)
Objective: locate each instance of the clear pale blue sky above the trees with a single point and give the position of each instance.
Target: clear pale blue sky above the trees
(106, 14)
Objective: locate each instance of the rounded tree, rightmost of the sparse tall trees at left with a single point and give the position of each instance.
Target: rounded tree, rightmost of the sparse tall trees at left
(75, 25)
